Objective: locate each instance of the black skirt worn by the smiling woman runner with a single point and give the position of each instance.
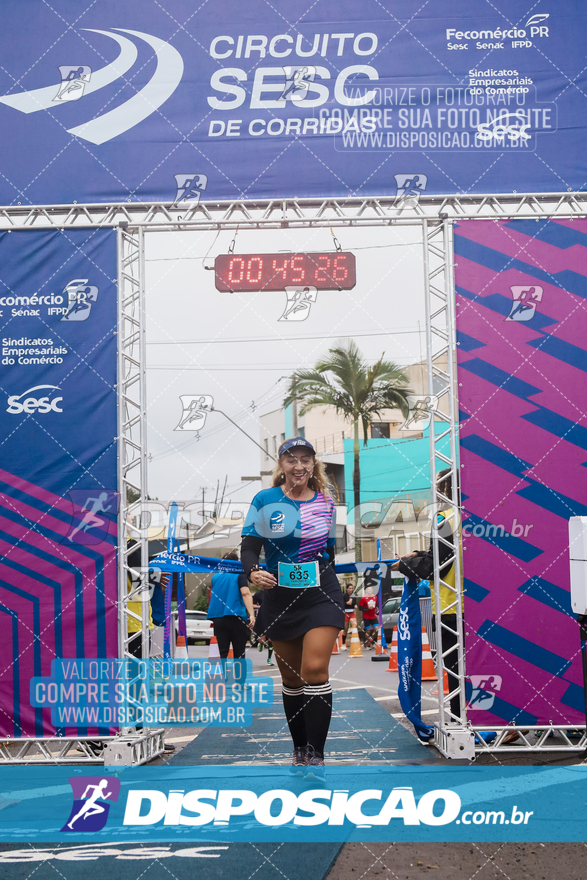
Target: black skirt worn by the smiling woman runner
(287, 613)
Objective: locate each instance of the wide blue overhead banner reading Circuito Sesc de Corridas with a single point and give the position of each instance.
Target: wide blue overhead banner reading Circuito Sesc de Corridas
(174, 102)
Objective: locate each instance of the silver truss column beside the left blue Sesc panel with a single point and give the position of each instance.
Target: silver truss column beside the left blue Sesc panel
(133, 585)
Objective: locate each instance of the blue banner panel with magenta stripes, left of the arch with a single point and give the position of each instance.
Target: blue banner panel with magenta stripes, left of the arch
(58, 465)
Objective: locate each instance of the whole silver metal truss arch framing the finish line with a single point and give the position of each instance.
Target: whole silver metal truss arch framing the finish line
(435, 215)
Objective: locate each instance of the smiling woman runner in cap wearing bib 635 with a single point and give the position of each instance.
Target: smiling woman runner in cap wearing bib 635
(302, 610)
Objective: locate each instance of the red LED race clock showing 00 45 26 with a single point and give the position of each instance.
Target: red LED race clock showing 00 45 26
(235, 273)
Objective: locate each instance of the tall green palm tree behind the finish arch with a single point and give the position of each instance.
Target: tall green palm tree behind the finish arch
(343, 379)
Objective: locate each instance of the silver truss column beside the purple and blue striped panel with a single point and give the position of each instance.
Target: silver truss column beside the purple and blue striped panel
(452, 736)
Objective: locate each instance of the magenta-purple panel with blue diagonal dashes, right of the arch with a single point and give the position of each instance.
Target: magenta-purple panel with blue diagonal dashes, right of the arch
(522, 333)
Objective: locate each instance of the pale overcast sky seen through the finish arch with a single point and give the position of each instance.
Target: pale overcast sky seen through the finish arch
(233, 346)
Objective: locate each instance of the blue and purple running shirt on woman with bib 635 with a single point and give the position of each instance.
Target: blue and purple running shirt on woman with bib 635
(291, 531)
